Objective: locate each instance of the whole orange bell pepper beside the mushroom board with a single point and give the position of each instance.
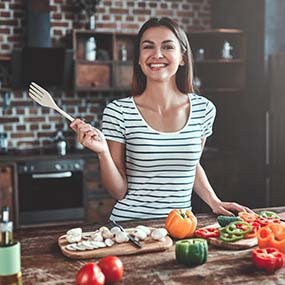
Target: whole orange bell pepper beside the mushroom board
(181, 223)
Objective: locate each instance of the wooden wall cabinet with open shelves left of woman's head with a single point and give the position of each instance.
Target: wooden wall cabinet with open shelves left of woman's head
(112, 67)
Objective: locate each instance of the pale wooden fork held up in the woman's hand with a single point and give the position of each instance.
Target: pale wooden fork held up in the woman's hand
(42, 97)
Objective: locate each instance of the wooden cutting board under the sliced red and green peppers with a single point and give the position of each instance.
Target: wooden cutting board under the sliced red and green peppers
(237, 245)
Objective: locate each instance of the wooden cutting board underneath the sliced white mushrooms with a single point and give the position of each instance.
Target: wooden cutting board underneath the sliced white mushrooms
(149, 245)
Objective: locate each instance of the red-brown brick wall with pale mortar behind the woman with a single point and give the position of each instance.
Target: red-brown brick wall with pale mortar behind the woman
(30, 126)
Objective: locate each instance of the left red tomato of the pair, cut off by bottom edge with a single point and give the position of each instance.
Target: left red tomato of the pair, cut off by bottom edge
(90, 274)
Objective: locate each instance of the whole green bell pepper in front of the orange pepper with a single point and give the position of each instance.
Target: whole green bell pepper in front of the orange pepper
(191, 251)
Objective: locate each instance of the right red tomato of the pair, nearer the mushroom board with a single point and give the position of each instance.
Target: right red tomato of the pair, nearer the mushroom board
(112, 268)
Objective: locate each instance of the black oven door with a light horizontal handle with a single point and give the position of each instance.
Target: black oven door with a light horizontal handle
(50, 197)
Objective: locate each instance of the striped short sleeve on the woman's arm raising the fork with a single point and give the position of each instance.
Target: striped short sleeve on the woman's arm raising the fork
(113, 124)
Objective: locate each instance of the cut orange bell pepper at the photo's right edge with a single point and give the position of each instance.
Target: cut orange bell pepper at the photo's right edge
(272, 235)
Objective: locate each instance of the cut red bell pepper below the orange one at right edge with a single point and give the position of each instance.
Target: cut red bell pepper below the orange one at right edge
(267, 258)
